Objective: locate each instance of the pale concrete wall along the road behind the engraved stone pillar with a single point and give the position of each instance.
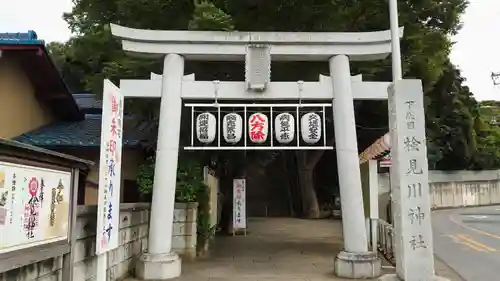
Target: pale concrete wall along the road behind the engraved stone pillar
(453, 189)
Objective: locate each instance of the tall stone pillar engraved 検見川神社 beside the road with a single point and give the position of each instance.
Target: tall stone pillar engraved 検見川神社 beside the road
(409, 182)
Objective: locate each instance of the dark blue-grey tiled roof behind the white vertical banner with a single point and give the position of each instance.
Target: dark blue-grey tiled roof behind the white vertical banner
(86, 133)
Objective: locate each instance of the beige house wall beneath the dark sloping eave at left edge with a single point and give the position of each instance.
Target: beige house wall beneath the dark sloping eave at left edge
(20, 111)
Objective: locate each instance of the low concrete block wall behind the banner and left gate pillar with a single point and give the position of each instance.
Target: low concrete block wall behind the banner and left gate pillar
(121, 261)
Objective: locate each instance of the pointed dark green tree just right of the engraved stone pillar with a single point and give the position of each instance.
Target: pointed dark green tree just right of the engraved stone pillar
(450, 116)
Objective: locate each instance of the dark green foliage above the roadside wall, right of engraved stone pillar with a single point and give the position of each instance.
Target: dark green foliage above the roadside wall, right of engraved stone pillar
(458, 127)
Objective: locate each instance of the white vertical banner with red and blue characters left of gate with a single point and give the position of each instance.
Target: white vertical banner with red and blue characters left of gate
(108, 213)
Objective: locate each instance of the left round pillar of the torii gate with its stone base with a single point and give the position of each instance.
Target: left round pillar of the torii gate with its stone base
(159, 262)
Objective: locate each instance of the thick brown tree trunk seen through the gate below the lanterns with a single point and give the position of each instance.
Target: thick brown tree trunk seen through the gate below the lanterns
(306, 164)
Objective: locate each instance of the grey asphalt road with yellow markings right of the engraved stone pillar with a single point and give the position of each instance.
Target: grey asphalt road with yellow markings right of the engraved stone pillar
(468, 240)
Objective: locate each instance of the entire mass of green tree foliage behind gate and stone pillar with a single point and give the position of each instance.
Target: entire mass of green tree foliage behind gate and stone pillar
(458, 138)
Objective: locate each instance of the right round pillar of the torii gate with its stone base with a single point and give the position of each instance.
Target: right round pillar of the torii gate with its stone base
(355, 261)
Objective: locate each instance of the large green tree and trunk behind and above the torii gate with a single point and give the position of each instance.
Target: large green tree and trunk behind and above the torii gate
(93, 54)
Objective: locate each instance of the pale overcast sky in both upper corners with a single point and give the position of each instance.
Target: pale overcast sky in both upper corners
(477, 49)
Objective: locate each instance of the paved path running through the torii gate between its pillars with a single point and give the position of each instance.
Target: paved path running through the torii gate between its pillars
(278, 249)
